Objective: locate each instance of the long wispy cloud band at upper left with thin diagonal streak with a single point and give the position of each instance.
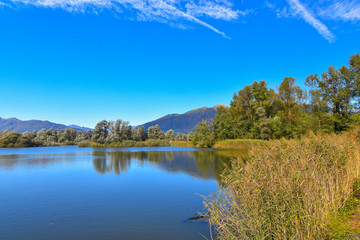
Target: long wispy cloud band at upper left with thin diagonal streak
(165, 11)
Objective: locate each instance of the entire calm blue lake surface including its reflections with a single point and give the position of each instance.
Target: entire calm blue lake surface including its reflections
(87, 193)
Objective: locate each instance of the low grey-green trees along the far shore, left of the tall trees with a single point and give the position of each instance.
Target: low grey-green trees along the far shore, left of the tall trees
(105, 133)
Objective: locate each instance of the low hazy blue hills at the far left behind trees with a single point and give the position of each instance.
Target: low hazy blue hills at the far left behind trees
(14, 124)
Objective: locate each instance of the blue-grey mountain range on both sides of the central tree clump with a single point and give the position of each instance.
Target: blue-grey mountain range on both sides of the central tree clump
(180, 123)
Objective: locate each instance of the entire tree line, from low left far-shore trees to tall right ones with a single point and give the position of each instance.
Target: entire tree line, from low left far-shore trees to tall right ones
(329, 104)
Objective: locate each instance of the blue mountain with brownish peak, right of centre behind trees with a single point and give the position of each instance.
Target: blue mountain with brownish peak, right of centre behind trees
(186, 122)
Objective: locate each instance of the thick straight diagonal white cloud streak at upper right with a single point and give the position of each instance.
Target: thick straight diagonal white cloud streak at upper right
(300, 10)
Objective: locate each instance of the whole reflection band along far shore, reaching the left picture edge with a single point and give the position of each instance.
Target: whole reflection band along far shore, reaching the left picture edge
(204, 164)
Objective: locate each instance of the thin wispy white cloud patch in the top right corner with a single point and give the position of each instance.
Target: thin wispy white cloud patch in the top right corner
(344, 10)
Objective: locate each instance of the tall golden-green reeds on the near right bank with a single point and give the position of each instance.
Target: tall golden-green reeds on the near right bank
(287, 189)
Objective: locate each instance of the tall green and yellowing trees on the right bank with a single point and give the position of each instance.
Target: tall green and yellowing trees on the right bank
(330, 104)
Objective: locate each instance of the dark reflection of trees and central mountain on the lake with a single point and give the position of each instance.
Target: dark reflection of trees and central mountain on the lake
(200, 164)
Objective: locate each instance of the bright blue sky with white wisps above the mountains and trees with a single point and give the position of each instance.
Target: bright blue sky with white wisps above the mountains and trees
(81, 61)
